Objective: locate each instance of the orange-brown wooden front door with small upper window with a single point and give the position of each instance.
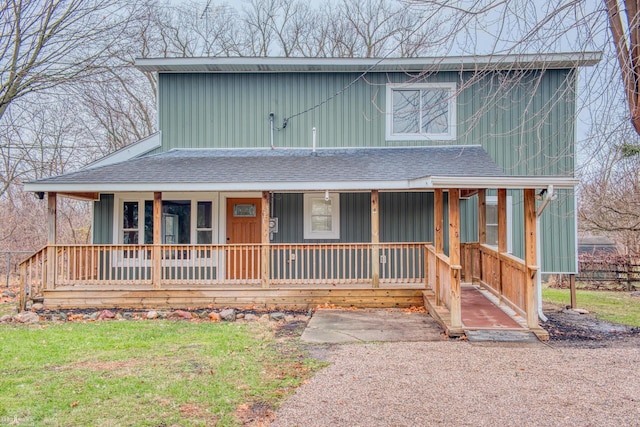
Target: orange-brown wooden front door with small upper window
(243, 227)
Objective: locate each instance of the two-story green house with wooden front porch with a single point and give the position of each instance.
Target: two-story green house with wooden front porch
(296, 182)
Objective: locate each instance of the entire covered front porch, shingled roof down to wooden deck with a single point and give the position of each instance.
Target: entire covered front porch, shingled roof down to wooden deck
(373, 267)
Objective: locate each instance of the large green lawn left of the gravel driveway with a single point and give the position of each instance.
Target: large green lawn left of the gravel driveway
(144, 373)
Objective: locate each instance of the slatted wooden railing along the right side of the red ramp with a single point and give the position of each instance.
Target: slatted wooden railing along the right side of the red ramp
(502, 273)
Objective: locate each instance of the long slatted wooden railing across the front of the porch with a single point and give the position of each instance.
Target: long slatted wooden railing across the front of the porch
(289, 264)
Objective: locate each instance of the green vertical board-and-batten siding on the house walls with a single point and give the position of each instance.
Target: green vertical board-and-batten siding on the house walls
(524, 120)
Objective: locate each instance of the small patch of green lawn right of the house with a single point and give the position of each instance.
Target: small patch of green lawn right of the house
(617, 307)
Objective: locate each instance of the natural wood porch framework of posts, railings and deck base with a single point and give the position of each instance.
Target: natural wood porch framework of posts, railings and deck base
(87, 269)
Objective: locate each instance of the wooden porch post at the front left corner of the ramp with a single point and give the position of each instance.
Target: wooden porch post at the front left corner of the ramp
(454, 257)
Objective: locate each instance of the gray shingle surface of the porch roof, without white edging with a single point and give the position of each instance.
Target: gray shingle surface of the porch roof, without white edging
(290, 165)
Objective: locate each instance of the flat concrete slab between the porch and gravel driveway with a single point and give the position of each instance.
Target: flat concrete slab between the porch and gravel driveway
(348, 326)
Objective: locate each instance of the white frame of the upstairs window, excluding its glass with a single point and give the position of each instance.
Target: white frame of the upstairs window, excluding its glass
(452, 106)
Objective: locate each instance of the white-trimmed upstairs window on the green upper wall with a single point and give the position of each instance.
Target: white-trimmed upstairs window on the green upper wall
(425, 111)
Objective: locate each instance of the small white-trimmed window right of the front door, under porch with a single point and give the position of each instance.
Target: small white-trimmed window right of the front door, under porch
(321, 216)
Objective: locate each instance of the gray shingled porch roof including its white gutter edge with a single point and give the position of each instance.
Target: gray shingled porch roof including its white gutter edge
(264, 169)
